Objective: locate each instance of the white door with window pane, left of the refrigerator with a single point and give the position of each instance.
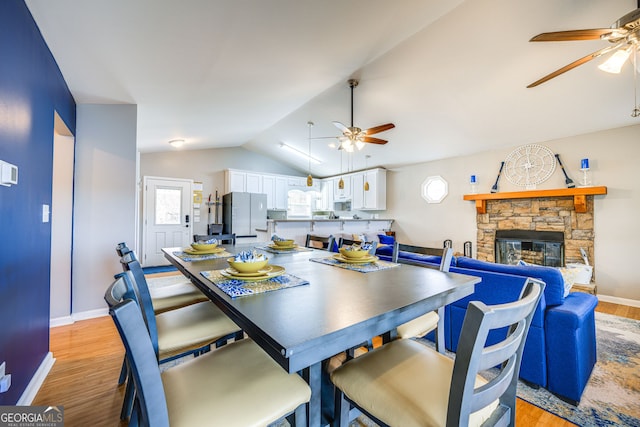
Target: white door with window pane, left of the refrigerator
(167, 212)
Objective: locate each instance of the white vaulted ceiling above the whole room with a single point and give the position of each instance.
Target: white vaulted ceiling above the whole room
(451, 75)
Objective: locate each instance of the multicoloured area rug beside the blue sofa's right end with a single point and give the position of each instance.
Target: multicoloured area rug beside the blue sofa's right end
(612, 396)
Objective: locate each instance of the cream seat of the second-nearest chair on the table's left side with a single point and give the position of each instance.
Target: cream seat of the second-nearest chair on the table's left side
(191, 327)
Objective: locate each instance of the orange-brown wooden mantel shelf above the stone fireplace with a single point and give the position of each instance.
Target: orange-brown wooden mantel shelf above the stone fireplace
(579, 196)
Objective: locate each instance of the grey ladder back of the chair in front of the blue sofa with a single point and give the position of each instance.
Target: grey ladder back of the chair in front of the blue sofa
(472, 355)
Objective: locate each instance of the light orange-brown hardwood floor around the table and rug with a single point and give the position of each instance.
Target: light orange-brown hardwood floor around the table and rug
(89, 356)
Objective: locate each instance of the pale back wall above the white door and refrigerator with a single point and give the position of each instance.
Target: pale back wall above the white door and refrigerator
(207, 166)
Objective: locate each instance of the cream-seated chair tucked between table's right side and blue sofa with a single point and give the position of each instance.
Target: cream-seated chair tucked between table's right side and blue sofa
(433, 320)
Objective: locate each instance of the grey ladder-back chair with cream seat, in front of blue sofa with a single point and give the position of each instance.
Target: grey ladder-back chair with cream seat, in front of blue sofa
(405, 383)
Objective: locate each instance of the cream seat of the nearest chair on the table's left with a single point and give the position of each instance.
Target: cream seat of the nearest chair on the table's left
(235, 385)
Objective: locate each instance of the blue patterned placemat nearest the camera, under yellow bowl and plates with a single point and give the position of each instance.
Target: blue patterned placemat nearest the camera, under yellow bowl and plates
(238, 288)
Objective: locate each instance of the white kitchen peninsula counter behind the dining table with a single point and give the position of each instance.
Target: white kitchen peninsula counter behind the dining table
(298, 229)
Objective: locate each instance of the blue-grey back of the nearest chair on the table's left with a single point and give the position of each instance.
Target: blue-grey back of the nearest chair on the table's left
(143, 365)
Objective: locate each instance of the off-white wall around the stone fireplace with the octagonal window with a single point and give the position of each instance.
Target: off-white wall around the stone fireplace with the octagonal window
(614, 157)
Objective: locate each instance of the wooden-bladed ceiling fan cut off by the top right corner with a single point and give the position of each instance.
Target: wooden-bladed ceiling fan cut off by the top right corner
(624, 36)
